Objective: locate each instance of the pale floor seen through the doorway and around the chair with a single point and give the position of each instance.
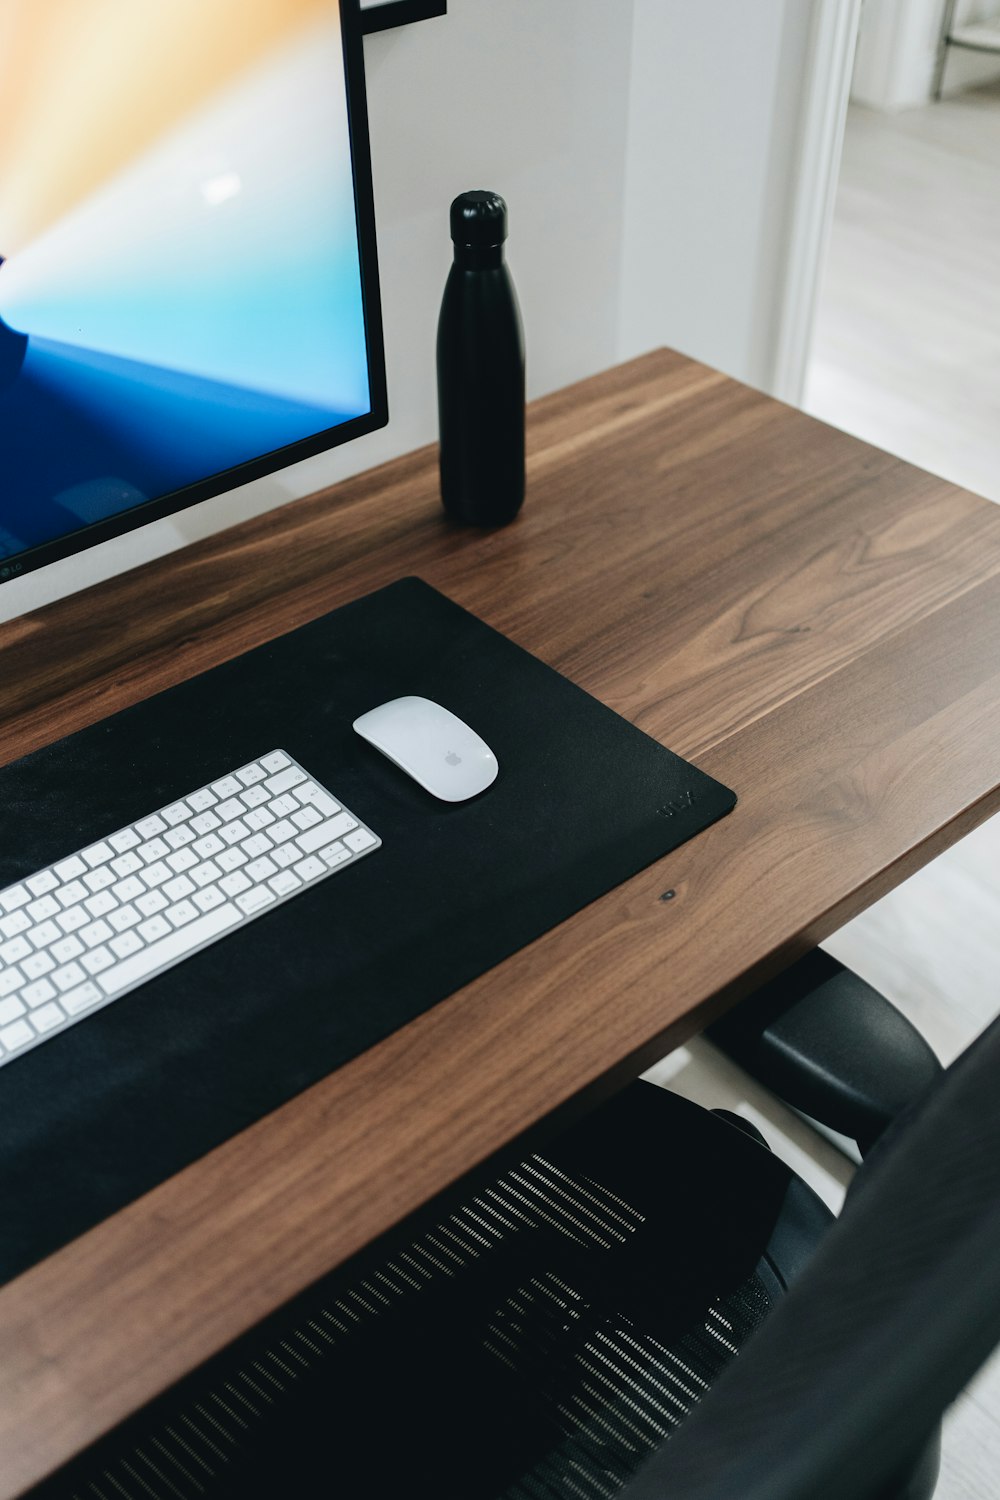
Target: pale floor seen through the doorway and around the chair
(908, 356)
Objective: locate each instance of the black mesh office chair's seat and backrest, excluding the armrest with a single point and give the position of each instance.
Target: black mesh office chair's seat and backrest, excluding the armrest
(654, 1306)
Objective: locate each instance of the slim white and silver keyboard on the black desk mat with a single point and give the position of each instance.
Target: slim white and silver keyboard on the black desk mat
(95, 926)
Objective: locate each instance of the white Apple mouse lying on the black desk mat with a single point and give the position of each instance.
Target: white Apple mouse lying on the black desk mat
(433, 745)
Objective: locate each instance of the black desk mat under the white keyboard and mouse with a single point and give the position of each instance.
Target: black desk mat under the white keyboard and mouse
(137, 1091)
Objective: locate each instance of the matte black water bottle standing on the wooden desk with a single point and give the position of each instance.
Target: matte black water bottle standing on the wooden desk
(481, 371)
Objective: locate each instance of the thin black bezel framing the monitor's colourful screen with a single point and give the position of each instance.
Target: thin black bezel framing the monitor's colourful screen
(226, 481)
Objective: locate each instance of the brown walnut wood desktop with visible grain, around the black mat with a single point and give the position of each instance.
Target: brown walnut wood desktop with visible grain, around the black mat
(810, 620)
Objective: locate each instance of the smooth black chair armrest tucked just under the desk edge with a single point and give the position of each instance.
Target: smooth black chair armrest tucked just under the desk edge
(831, 1046)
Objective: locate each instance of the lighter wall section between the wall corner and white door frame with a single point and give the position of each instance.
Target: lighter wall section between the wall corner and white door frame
(716, 112)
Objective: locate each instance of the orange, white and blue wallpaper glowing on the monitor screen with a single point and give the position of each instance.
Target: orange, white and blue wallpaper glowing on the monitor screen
(181, 287)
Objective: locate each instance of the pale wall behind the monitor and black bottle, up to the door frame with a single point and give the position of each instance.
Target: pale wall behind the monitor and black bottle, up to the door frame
(645, 149)
